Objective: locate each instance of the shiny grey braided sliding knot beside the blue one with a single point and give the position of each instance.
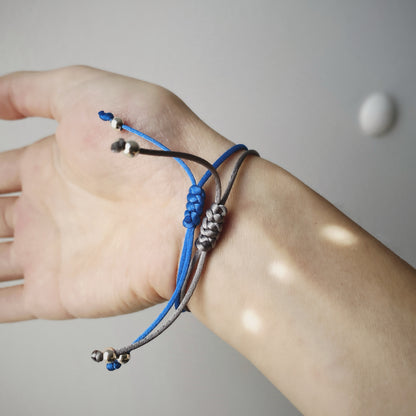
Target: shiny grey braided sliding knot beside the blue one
(211, 227)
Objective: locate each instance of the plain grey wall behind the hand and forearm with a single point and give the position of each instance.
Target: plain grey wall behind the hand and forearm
(284, 77)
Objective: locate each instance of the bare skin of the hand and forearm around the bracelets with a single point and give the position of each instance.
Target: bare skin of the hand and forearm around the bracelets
(324, 310)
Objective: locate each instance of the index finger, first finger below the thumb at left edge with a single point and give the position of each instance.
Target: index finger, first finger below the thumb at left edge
(10, 170)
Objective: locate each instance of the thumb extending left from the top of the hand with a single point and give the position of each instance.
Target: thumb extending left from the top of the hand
(37, 94)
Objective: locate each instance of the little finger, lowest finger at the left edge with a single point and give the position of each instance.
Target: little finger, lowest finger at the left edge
(12, 305)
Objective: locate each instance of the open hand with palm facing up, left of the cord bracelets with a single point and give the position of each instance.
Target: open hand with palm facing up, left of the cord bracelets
(94, 233)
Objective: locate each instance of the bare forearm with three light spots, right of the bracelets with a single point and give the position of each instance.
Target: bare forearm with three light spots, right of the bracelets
(323, 309)
